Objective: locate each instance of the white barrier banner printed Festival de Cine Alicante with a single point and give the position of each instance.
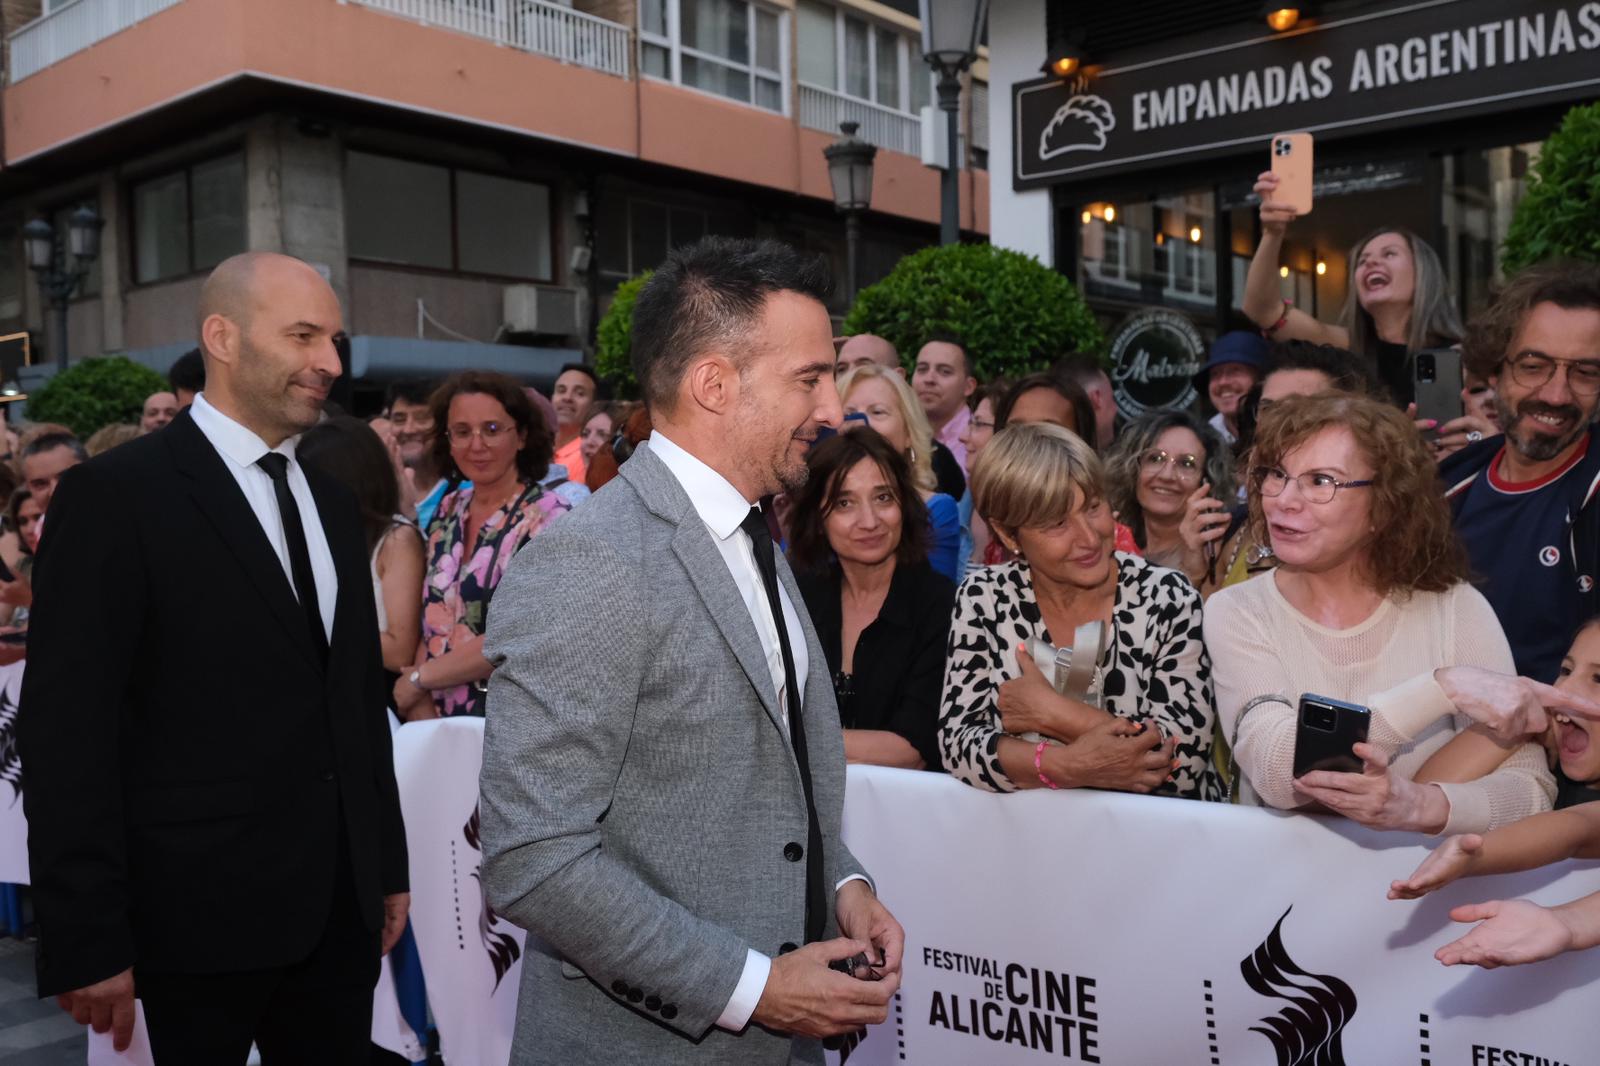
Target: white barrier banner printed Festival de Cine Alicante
(1098, 928)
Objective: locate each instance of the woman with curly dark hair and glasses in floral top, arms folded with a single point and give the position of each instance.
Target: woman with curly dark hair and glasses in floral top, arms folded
(495, 449)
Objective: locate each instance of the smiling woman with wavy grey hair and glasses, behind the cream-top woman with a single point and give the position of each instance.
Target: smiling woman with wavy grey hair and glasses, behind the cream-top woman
(1158, 465)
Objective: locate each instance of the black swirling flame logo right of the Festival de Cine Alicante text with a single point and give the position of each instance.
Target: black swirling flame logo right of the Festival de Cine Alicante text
(1308, 1032)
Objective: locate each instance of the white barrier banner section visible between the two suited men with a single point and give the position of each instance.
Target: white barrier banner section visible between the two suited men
(471, 958)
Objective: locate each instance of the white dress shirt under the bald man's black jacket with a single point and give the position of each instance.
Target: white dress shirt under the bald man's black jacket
(241, 449)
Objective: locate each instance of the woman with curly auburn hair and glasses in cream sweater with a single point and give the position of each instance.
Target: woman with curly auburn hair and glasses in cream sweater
(1369, 604)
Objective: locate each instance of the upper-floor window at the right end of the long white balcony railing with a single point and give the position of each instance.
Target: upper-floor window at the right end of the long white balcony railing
(727, 47)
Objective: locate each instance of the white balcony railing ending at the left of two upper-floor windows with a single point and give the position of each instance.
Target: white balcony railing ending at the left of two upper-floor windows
(540, 26)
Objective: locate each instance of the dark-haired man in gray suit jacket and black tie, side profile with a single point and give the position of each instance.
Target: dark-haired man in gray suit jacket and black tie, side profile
(662, 804)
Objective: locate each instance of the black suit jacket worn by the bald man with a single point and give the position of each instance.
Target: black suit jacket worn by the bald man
(191, 764)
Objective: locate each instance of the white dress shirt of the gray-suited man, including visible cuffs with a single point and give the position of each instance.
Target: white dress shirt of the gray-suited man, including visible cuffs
(722, 508)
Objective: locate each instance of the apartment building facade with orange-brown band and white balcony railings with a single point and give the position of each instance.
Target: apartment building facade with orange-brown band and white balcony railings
(468, 174)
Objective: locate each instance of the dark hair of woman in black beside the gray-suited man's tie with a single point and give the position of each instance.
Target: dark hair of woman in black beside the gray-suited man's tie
(830, 463)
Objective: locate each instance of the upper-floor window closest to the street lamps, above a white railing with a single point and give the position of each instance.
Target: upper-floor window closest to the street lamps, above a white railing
(844, 54)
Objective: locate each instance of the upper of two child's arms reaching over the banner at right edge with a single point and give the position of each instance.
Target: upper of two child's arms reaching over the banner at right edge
(1548, 838)
